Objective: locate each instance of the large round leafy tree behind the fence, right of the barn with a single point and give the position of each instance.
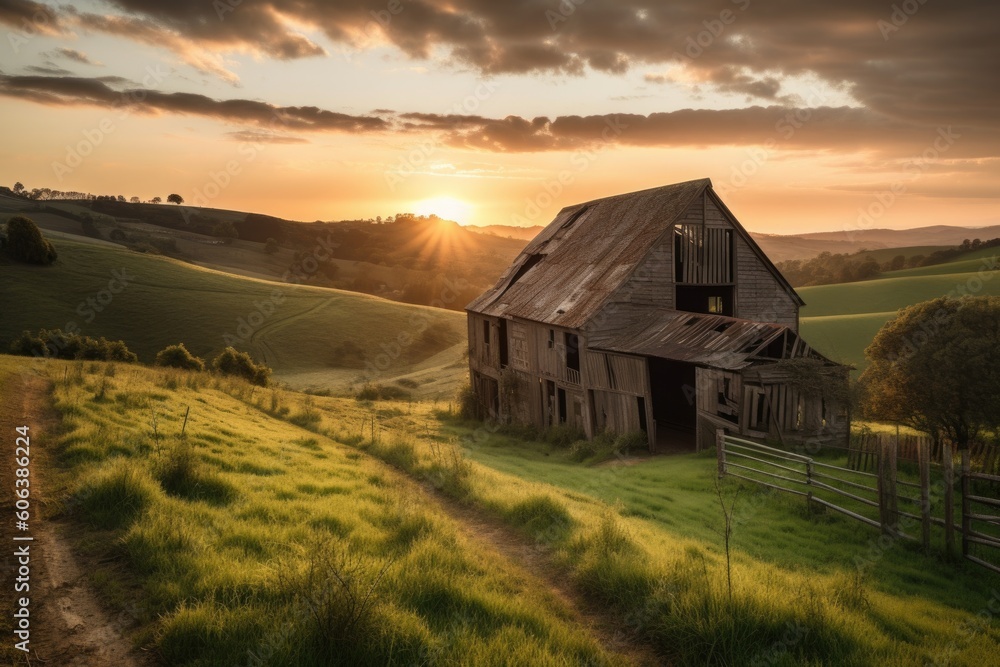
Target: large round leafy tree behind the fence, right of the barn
(936, 368)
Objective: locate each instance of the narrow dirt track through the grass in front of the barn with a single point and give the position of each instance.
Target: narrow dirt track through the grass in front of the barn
(608, 627)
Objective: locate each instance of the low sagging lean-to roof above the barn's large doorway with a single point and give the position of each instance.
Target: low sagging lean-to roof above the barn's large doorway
(711, 340)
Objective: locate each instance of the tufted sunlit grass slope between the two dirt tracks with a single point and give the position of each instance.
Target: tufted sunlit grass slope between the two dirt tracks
(250, 536)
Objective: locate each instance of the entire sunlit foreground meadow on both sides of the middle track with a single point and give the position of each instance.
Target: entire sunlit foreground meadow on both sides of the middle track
(256, 527)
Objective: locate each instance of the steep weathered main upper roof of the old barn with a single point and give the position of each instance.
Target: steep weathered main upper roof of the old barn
(587, 252)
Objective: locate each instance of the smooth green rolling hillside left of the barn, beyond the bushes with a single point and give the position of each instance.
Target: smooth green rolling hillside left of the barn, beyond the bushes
(313, 337)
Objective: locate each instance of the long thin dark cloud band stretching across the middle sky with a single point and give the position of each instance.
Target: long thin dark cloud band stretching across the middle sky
(777, 126)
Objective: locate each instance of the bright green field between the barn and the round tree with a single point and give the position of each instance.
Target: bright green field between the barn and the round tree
(841, 320)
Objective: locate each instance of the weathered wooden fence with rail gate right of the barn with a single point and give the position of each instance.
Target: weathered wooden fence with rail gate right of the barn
(906, 507)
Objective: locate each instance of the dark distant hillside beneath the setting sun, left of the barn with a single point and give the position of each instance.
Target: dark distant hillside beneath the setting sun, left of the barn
(413, 259)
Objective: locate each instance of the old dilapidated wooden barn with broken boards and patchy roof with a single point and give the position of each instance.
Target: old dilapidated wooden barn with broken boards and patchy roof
(652, 311)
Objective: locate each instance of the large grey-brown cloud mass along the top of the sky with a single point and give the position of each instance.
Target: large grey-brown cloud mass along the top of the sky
(919, 60)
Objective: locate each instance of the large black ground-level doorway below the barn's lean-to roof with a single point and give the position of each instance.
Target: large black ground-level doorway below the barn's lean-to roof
(674, 403)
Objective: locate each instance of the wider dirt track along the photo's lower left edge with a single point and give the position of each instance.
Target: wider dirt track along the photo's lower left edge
(69, 627)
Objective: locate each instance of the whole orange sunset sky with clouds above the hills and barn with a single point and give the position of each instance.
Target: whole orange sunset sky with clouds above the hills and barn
(807, 116)
